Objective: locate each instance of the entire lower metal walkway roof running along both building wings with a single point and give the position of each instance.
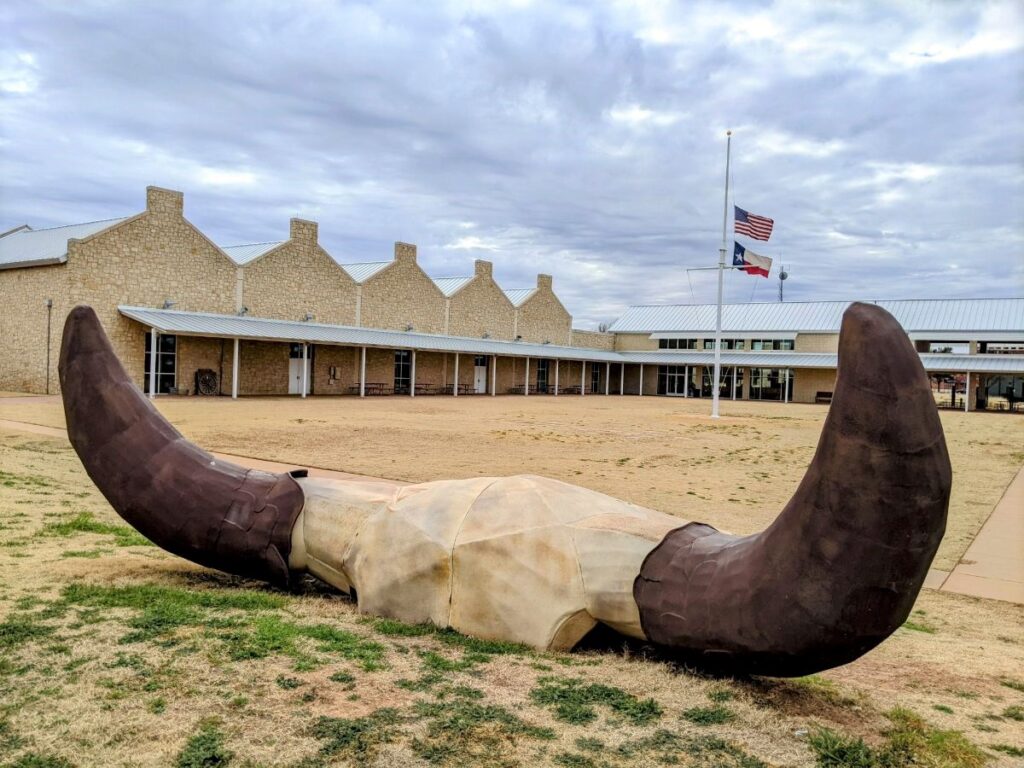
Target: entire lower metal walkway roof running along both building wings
(228, 326)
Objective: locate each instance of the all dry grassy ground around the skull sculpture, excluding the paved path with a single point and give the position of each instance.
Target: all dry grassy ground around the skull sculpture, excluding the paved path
(113, 653)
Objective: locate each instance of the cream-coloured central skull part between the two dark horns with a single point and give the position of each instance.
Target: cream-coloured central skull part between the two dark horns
(523, 559)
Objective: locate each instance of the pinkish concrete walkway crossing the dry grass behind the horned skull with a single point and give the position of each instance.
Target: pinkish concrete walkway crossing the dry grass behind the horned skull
(993, 567)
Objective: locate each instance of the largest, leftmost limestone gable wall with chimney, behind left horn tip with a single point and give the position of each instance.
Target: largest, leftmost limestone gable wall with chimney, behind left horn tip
(155, 257)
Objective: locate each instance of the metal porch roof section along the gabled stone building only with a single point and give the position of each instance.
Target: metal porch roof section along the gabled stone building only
(228, 326)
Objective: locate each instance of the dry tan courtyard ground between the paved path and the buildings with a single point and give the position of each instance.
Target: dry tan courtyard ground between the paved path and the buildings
(666, 454)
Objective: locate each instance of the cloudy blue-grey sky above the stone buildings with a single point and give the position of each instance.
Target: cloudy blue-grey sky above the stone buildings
(577, 139)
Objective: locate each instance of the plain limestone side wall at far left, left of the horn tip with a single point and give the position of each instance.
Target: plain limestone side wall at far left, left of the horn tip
(23, 326)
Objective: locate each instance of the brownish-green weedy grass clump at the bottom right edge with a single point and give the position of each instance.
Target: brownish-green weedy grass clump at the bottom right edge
(909, 743)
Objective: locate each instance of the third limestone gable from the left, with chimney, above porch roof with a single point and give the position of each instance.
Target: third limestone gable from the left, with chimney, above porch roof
(403, 295)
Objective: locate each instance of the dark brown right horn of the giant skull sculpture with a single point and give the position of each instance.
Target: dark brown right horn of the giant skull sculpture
(839, 571)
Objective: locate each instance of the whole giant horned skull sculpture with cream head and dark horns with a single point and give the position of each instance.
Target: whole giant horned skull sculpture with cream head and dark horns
(542, 563)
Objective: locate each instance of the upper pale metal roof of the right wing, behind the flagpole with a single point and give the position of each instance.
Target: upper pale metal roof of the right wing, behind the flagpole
(825, 317)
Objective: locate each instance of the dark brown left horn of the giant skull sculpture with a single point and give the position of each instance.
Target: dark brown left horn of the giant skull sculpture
(180, 497)
